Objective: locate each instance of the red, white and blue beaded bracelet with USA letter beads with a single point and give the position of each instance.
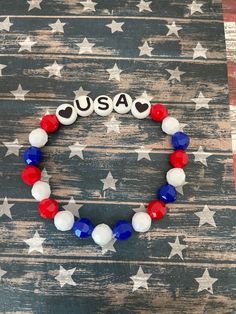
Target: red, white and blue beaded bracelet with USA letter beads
(103, 105)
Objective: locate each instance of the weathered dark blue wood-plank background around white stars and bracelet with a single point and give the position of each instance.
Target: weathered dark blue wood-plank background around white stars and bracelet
(103, 284)
